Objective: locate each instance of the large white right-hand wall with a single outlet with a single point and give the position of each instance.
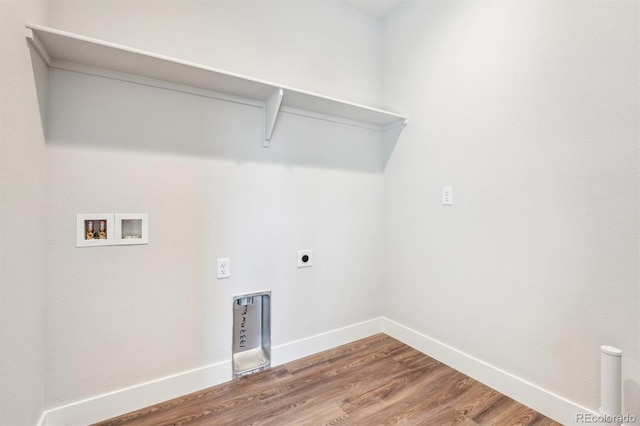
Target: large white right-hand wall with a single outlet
(530, 111)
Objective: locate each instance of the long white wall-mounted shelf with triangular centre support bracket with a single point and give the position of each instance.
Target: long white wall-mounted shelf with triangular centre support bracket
(64, 50)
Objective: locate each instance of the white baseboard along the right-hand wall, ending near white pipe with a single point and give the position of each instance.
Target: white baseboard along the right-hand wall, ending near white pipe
(541, 400)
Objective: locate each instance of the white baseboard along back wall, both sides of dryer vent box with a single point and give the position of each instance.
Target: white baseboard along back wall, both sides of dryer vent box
(115, 403)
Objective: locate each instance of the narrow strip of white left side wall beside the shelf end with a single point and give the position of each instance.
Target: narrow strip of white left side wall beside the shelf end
(22, 196)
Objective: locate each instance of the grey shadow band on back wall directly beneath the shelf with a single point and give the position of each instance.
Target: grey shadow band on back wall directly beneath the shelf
(102, 113)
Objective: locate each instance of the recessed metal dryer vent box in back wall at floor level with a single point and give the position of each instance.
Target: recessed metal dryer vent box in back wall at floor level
(251, 333)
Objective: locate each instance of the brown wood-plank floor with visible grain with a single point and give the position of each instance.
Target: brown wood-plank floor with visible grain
(370, 382)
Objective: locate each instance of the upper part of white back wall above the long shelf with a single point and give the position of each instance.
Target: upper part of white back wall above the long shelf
(323, 46)
